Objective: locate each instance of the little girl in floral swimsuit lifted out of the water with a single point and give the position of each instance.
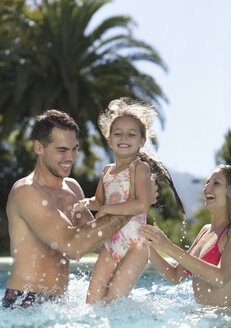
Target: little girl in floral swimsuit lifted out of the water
(126, 125)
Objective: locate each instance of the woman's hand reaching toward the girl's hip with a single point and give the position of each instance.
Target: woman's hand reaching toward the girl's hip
(155, 237)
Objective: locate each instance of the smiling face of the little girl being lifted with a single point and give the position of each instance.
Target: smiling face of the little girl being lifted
(125, 137)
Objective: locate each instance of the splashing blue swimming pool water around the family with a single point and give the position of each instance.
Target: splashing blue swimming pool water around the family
(152, 303)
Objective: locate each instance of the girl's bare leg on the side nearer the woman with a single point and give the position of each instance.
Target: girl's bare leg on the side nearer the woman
(128, 272)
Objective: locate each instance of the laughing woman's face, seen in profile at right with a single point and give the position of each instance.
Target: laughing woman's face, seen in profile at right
(215, 191)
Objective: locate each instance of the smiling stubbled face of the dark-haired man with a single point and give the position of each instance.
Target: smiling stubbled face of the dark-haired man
(59, 156)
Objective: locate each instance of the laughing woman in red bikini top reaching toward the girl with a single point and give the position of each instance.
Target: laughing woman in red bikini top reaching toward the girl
(208, 261)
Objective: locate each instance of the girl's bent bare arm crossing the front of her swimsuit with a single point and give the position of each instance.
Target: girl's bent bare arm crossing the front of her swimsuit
(143, 193)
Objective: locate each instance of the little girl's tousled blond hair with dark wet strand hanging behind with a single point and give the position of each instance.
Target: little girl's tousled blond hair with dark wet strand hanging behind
(143, 113)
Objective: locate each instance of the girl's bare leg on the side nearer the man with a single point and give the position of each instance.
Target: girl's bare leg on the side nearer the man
(101, 276)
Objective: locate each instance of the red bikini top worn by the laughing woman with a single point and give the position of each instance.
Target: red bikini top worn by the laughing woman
(213, 254)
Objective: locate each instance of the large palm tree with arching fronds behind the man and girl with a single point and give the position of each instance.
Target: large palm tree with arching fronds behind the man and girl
(59, 62)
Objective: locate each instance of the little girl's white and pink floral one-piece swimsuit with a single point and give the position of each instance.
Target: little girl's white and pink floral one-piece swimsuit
(116, 189)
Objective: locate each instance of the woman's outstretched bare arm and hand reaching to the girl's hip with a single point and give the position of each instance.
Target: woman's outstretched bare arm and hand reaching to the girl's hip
(217, 276)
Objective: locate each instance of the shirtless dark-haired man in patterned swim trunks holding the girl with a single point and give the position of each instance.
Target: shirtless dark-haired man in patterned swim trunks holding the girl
(44, 231)
